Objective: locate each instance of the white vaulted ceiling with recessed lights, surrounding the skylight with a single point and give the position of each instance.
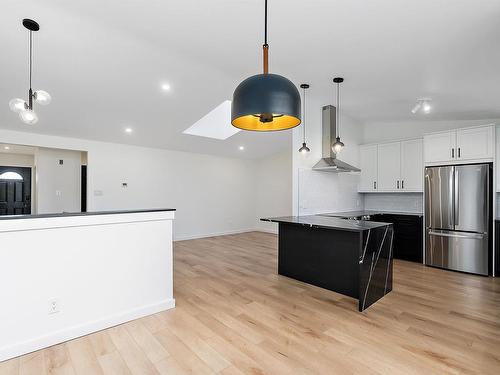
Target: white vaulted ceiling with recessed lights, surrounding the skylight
(103, 62)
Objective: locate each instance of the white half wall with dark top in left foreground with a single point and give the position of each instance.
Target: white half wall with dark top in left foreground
(66, 275)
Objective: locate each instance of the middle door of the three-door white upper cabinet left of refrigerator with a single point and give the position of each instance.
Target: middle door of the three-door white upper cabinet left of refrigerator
(389, 166)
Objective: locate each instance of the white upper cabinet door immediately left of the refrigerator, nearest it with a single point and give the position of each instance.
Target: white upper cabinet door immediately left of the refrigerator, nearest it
(412, 168)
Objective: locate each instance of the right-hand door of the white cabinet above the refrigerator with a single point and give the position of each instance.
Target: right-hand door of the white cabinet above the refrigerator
(475, 143)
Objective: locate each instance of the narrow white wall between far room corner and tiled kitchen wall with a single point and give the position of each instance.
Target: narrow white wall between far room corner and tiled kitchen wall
(273, 188)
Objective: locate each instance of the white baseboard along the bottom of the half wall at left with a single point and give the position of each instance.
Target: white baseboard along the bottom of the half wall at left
(73, 332)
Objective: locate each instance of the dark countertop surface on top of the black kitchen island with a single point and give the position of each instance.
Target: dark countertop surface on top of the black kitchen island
(318, 221)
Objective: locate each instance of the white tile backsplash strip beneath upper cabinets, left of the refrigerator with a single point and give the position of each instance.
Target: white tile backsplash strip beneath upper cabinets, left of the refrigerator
(406, 202)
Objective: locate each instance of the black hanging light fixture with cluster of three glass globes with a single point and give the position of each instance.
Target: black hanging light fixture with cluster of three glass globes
(25, 108)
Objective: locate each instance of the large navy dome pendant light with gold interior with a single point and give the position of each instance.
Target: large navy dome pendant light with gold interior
(266, 102)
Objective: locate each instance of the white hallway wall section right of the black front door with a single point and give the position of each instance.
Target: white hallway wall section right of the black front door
(58, 186)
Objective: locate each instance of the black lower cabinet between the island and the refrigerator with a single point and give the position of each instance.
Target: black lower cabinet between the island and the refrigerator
(408, 235)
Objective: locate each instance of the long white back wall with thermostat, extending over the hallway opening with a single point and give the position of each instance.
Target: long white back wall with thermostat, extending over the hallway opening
(213, 195)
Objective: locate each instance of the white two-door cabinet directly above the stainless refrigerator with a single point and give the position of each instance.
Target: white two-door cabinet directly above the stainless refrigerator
(461, 145)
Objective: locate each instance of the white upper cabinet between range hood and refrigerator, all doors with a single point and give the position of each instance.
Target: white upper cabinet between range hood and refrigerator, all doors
(392, 167)
